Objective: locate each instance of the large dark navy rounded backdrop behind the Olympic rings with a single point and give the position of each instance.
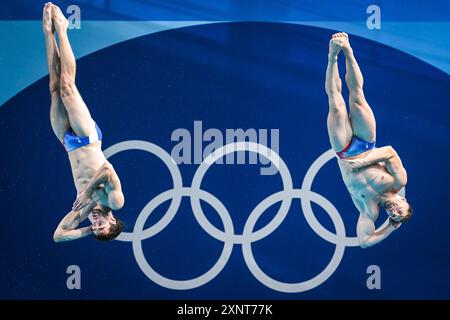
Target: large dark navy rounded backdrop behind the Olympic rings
(228, 75)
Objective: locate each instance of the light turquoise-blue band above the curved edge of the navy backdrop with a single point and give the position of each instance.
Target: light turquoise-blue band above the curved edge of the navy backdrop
(23, 62)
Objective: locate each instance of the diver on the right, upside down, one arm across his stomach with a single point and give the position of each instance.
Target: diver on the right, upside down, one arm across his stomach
(373, 176)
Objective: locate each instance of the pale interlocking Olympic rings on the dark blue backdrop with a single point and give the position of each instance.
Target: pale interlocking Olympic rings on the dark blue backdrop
(228, 236)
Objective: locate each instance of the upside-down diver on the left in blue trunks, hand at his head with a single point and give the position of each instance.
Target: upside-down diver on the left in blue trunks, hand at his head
(98, 186)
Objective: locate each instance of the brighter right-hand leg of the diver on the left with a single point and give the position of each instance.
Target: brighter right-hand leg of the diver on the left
(79, 116)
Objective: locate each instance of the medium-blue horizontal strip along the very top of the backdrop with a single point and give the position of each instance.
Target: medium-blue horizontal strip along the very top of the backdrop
(272, 10)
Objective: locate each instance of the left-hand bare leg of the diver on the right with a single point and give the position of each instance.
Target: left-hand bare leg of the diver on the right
(338, 123)
